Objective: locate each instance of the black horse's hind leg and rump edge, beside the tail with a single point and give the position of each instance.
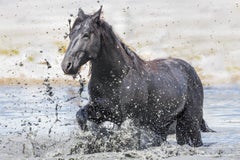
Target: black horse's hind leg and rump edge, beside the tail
(188, 129)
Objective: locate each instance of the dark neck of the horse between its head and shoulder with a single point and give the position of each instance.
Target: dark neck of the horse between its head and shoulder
(112, 60)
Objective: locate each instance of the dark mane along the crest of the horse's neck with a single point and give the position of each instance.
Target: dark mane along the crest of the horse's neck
(137, 62)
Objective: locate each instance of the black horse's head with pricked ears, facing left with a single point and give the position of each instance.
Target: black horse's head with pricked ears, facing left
(85, 42)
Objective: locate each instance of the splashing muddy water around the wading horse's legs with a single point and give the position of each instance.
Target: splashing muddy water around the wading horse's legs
(39, 122)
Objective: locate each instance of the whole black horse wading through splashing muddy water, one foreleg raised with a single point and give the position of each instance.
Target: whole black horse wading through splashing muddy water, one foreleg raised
(153, 94)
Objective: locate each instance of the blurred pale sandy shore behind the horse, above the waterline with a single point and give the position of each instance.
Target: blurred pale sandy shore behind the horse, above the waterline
(205, 33)
